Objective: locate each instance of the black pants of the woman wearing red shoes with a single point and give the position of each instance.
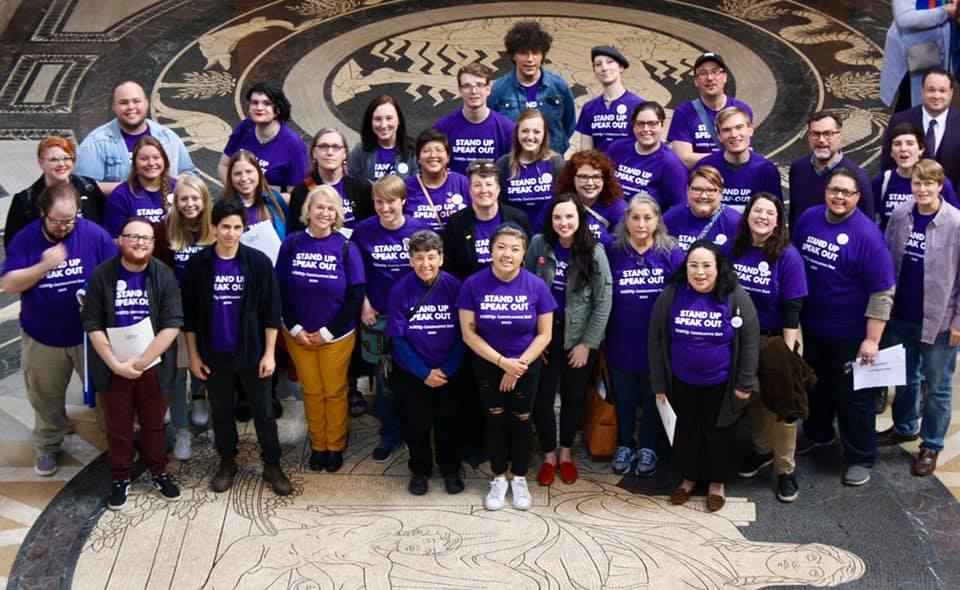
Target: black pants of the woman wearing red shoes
(573, 393)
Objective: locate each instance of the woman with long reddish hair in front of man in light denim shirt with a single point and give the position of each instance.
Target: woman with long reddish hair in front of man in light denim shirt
(147, 191)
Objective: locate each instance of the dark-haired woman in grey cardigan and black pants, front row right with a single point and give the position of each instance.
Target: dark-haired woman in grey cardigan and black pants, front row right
(704, 344)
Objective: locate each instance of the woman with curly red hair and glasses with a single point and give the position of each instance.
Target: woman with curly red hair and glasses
(589, 175)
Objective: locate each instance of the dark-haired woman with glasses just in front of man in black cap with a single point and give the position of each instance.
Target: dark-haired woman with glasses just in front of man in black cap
(644, 163)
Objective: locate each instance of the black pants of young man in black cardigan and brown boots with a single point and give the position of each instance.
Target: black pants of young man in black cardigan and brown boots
(222, 393)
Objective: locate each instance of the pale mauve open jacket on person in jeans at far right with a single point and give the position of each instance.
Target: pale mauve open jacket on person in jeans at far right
(941, 289)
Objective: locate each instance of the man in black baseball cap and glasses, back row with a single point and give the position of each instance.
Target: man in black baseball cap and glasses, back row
(692, 132)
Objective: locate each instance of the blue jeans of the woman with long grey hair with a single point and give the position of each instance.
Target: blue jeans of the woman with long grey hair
(630, 391)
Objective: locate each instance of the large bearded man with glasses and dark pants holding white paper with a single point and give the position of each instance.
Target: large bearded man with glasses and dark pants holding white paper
(851, 280)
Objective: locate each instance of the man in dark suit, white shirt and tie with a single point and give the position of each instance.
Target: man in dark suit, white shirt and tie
(940, 124)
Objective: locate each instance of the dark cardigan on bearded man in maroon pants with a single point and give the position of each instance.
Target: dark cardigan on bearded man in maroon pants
(98, 314)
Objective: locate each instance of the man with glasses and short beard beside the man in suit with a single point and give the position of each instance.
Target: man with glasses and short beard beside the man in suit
(809, 174)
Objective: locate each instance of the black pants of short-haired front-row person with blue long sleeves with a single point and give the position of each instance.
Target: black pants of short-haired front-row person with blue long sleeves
(428, 410)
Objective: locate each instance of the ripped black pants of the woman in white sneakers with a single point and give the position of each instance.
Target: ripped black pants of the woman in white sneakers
(507, 435)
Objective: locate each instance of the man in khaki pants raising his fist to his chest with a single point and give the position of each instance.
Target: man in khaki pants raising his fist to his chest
(47, 264)
